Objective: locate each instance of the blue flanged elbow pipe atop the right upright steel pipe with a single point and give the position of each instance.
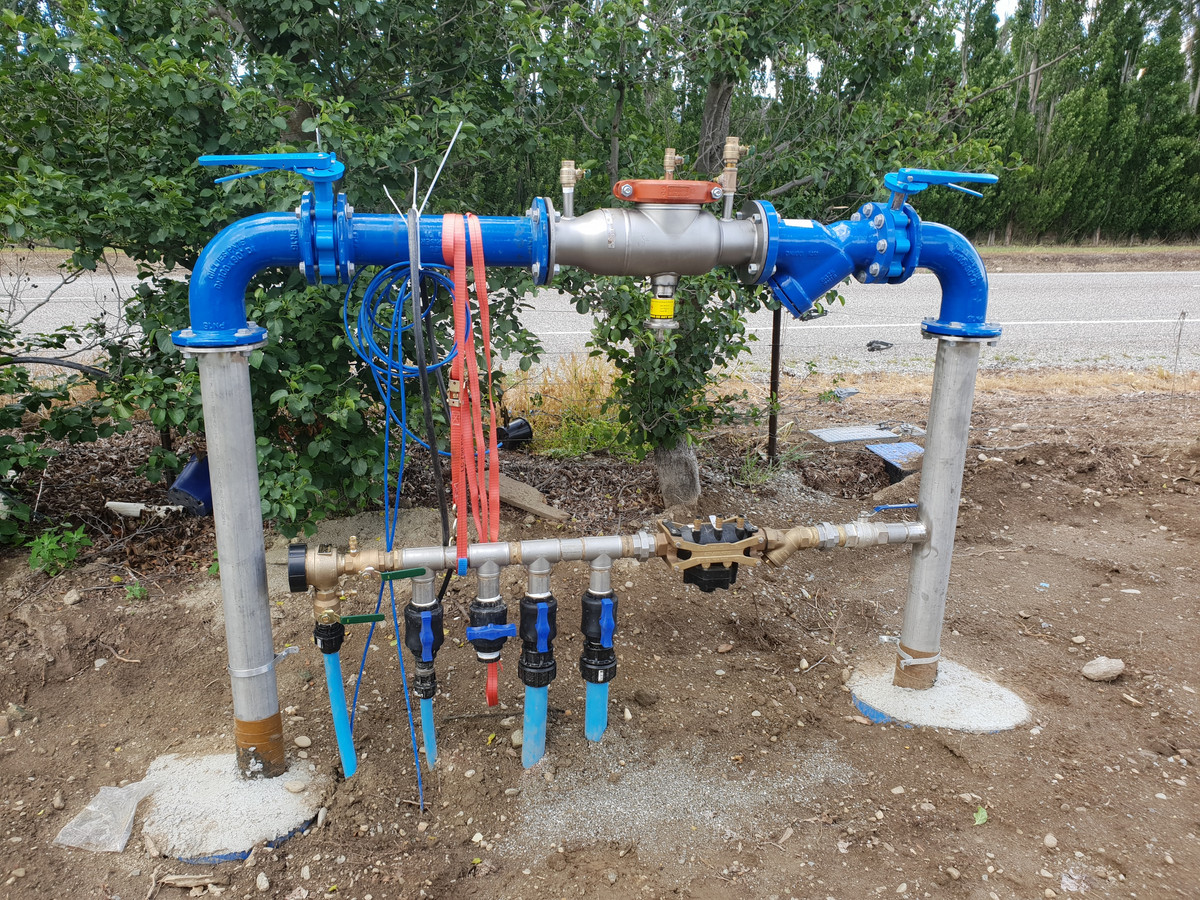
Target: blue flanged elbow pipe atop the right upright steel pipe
(964, 280)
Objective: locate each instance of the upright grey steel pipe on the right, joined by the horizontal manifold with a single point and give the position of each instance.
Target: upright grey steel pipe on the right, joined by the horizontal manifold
(941, 487)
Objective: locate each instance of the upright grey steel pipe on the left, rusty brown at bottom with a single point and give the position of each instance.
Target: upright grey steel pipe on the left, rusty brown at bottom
(238, 519)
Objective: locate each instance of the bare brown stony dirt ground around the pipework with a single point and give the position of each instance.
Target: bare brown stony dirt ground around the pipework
(734, 765)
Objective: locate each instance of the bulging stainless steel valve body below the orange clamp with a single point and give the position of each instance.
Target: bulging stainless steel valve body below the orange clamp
(653, 239)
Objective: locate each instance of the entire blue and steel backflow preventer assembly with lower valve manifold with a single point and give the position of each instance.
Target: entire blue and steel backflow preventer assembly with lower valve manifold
(664, 233)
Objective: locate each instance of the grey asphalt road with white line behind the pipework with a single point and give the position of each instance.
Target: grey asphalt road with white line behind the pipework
(1108, 320)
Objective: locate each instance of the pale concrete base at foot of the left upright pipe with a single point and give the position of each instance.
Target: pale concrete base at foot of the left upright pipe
(203, 812)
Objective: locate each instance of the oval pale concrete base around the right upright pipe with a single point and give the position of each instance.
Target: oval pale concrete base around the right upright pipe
(959, 701)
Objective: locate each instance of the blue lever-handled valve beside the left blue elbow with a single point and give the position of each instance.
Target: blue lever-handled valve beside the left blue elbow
(325, 219)
